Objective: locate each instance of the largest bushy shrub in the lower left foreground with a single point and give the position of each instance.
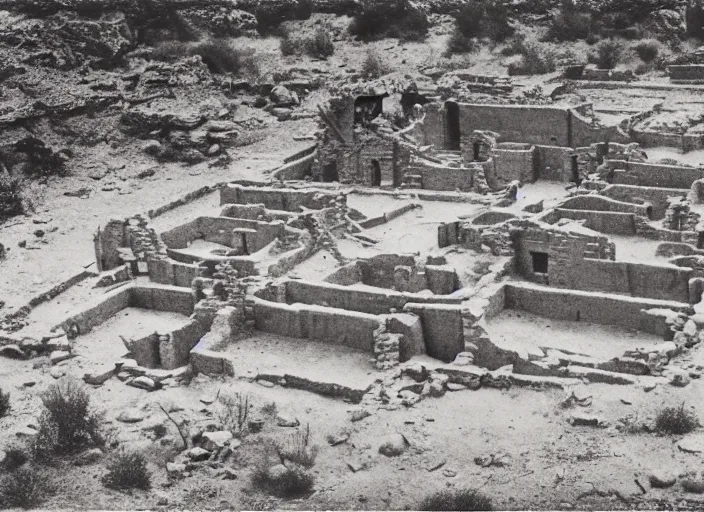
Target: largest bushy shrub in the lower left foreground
(67, 423)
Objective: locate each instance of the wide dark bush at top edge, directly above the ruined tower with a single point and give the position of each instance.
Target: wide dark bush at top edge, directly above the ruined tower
(398, 18)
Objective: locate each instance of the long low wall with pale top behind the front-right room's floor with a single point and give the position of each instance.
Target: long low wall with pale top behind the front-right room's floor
(583, 306)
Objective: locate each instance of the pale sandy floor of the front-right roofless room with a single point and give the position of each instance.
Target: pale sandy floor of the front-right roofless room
(518, 330)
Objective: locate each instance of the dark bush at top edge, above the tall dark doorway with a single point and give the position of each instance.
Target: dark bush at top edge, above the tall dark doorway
(481, 18)
